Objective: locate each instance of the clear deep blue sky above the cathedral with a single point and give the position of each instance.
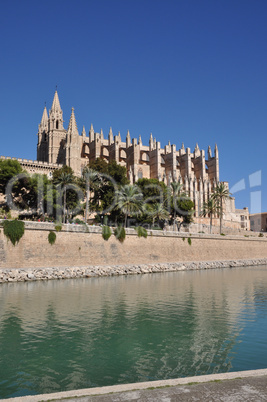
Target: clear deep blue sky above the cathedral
(186, 70)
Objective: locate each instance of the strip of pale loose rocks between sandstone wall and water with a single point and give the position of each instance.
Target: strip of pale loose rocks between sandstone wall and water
(37, 274)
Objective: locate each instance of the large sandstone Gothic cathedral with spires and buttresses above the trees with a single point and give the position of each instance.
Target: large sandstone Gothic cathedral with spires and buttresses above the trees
(56, 145)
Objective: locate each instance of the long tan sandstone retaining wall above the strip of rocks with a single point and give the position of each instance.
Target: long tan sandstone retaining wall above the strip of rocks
(81, 249)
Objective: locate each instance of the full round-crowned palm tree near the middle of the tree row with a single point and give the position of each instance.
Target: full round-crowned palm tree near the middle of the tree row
(129, 200)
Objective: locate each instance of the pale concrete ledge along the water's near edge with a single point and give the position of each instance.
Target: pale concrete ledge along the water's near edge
(140, 386)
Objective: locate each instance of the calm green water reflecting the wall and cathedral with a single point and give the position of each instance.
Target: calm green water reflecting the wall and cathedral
(63, 335)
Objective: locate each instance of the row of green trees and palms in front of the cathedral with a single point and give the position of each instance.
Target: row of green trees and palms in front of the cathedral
(103, 189)
